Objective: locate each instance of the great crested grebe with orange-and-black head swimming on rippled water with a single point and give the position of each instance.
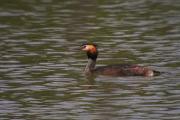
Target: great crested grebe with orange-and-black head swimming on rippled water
(113, 70)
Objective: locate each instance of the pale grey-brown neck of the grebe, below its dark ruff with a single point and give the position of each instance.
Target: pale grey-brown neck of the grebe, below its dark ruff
(90, 66)
